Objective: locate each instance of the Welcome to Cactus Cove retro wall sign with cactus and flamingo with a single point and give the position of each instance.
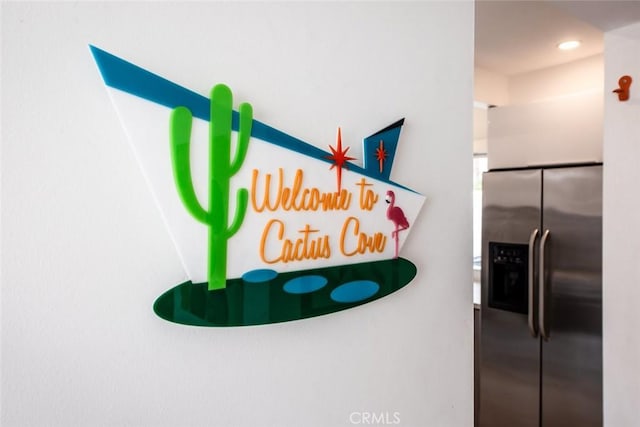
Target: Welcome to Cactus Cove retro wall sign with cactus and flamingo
(269, 228)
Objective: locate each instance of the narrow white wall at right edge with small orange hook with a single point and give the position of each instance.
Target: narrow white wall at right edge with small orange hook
(621, 269)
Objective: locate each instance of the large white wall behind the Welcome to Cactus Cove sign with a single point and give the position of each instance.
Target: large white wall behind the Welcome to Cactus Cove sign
(85, 253)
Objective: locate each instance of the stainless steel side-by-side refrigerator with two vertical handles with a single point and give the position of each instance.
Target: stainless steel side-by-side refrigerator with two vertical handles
(541, 299)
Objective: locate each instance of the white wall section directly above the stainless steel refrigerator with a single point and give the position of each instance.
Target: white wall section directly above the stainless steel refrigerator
(553, 116)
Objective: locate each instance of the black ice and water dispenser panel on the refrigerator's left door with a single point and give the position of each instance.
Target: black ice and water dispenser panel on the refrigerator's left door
(508, 277)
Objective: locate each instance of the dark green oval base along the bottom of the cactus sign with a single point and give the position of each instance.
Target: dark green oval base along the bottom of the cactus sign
(243, 303)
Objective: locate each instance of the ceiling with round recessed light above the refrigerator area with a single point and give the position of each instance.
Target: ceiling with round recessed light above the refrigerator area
(513, 37)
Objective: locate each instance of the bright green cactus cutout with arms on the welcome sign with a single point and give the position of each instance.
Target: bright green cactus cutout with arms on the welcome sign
(221, 169)
